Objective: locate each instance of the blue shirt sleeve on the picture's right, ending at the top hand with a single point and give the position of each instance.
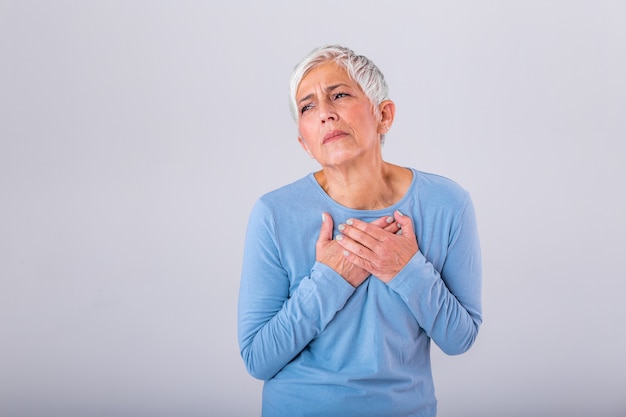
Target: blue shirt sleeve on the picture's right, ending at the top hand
(447, 303)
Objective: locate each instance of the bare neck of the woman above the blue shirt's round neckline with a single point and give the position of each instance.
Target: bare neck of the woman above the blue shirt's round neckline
(368, 188)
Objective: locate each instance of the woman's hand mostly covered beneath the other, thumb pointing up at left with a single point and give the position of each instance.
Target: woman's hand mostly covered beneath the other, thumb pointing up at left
(329, 252)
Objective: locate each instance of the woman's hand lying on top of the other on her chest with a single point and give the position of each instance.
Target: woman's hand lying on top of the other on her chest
(376, 250)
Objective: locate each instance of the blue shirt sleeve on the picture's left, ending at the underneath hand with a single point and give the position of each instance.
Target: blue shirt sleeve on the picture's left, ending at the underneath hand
(274, 325)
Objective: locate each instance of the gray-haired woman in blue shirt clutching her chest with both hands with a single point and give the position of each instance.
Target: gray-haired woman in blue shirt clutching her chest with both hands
(350, 272)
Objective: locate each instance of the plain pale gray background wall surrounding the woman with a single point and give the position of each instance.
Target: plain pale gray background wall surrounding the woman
(136, 135)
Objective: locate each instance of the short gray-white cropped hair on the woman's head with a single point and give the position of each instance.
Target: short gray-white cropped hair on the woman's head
(359, 68)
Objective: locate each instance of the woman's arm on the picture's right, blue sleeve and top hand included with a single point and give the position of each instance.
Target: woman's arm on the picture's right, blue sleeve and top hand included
(446, 305)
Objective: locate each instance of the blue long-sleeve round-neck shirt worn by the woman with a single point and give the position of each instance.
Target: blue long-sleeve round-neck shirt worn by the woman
(325, 348)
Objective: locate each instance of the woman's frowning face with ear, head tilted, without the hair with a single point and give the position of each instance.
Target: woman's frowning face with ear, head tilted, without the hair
(336, 120)
